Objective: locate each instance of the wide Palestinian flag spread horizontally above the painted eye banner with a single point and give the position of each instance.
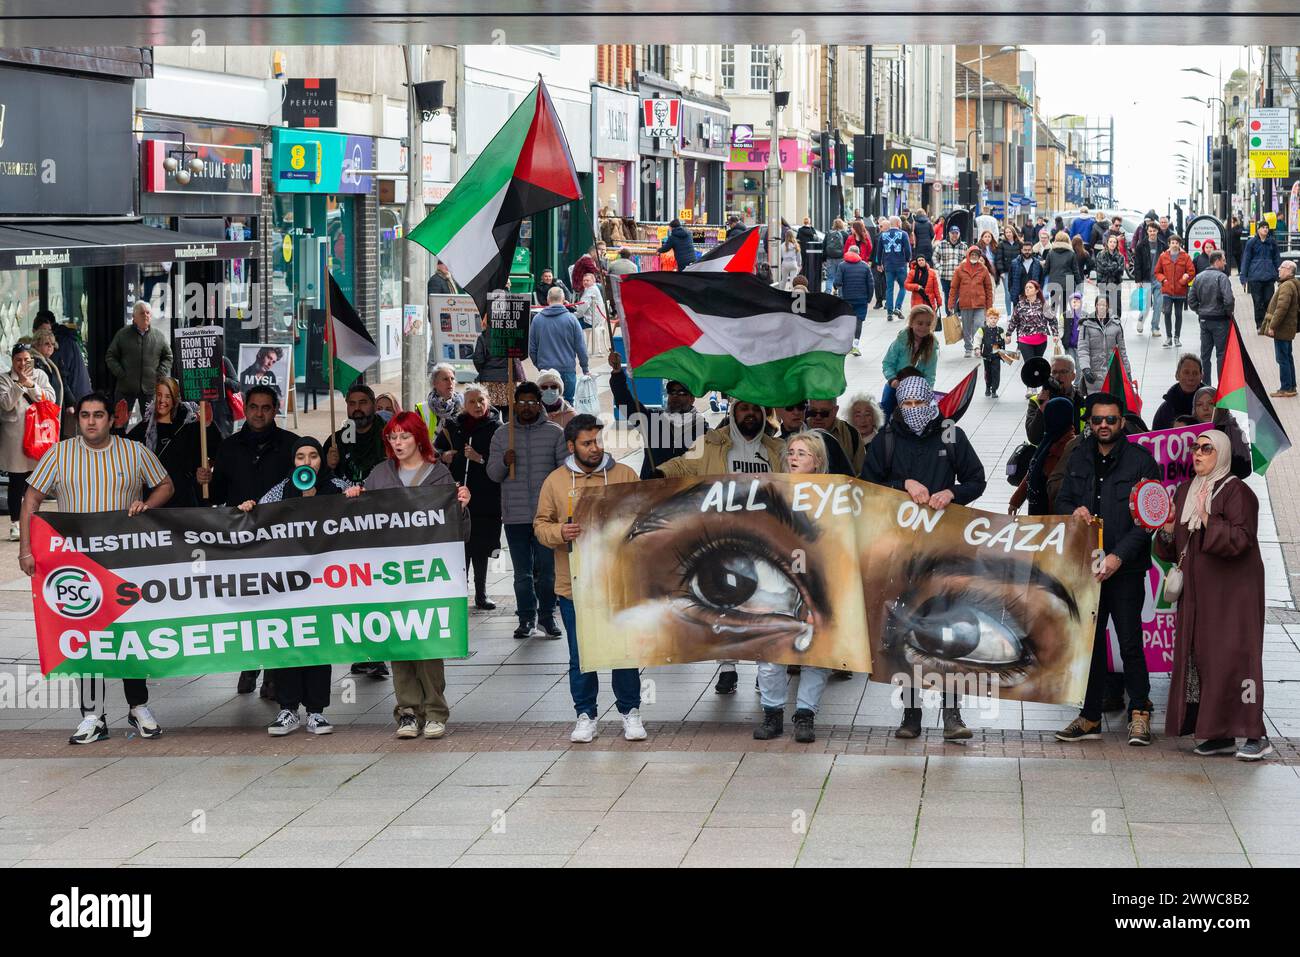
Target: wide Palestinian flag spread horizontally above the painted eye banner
(735, 334)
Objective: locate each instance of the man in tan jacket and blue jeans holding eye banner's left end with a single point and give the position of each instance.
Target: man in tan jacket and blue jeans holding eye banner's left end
(587, 466)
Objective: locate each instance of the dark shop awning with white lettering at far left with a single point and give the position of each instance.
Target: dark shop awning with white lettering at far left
(54, 246)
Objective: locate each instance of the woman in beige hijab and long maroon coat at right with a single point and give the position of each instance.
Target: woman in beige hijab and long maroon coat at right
(1219, 647)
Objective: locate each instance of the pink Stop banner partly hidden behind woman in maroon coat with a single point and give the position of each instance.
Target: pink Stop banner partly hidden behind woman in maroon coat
(1173, 453)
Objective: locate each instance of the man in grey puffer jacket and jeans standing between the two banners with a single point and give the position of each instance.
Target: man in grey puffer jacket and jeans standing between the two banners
(539, 449)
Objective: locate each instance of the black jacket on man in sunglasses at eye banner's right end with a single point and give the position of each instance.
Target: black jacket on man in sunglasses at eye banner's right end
(1120, 536)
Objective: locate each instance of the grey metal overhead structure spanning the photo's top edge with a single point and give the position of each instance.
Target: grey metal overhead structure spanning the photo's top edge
(339, 23)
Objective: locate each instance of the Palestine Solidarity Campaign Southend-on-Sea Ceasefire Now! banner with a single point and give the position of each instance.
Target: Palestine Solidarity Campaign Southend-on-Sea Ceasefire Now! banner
(205, 591)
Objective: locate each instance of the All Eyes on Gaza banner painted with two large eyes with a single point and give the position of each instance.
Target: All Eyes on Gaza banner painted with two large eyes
(835, 573)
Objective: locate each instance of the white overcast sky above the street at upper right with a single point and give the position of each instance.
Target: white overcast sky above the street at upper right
(1142, 88)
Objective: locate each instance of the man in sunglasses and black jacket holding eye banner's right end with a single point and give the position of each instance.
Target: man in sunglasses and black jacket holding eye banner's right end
(1100, 474)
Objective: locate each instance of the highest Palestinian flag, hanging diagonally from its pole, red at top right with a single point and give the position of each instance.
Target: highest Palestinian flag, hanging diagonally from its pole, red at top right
(526, 170)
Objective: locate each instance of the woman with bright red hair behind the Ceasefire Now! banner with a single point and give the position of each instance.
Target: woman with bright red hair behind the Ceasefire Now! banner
(411, 462)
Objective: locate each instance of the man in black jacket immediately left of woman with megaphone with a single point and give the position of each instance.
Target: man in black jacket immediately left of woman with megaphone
(244, 469)
